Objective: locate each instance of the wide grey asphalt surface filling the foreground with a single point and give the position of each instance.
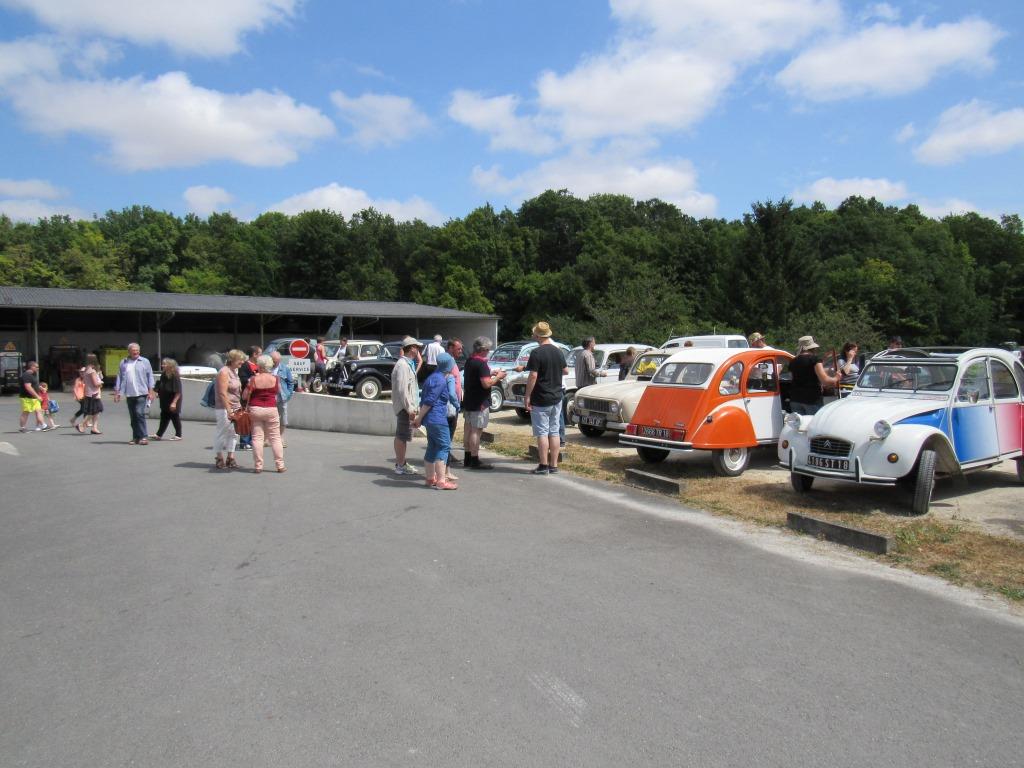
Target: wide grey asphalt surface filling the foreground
(155, 613)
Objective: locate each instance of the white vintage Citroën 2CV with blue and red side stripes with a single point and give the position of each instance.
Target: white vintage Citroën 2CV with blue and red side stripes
(913, 416)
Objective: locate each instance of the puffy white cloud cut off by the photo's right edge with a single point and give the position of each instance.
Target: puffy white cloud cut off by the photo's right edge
(972, 129)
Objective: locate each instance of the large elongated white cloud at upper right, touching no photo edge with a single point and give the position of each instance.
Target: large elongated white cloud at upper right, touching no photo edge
(889, 61)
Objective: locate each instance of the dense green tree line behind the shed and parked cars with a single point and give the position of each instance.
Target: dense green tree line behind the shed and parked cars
(609, 266)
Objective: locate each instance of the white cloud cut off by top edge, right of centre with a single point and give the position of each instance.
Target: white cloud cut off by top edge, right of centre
(731, 29)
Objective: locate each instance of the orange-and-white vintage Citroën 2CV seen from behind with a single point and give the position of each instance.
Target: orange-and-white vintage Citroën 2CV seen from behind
(711, 399)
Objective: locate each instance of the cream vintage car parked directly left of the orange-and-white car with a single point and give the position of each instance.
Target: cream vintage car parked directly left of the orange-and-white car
(610, 406)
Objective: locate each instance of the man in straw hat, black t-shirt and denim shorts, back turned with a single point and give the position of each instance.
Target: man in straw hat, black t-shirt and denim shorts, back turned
(544, 398)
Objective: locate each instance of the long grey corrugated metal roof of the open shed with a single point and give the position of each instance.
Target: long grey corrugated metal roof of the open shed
(64, 298)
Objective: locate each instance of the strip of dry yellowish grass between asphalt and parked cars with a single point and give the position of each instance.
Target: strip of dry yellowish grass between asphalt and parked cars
(924, 545)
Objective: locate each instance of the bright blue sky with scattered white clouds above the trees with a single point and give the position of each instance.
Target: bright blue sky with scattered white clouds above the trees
(430, 109)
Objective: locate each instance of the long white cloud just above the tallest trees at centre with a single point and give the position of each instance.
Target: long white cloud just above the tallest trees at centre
(619, 169)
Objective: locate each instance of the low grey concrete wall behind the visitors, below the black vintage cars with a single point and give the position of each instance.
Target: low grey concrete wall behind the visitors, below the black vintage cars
(327, 413)
